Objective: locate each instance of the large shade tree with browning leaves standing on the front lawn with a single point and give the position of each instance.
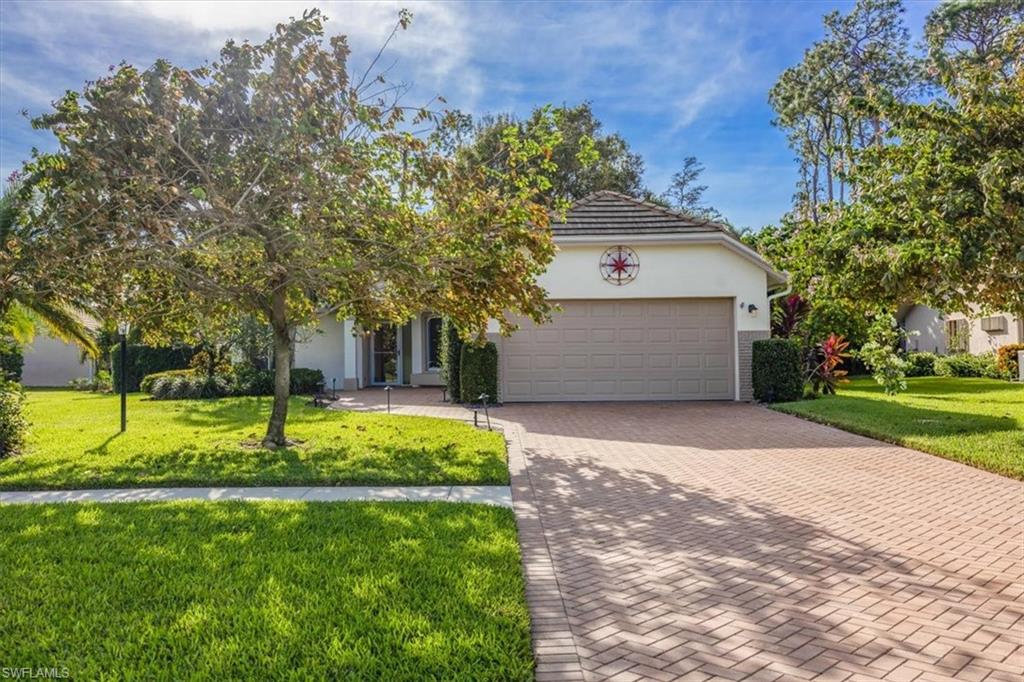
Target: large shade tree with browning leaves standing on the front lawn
(275, 183)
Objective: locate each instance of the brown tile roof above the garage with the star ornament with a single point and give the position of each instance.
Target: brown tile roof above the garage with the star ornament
(609, 212)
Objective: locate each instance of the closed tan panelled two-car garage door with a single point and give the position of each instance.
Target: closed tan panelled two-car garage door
(661, 350)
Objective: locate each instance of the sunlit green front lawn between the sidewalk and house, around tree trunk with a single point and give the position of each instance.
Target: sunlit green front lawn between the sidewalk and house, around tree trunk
(74, 443)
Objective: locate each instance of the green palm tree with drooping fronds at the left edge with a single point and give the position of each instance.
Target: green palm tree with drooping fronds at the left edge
(23, 304)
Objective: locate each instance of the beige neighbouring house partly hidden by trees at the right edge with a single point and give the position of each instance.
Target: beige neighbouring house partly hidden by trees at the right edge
(957, 333)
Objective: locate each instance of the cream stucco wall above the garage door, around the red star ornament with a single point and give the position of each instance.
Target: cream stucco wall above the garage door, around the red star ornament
(666, 272)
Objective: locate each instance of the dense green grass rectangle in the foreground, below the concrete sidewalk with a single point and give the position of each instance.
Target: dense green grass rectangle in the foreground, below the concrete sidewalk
(172, 591)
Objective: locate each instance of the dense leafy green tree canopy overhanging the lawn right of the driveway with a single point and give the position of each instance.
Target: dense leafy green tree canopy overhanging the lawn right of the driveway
(941, 211)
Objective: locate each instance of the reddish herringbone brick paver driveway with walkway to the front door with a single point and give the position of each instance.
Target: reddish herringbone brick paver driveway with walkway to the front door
(722, 541)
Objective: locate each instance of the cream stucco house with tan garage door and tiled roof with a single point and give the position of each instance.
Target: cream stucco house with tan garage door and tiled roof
(655, 306)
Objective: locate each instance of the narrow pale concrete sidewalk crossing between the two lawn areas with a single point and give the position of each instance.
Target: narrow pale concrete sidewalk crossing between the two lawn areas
(489, 495)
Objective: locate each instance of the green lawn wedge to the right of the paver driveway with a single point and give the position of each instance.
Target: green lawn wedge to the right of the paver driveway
(975, 421)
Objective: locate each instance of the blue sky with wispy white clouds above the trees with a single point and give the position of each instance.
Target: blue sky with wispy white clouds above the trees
(675, 79)
